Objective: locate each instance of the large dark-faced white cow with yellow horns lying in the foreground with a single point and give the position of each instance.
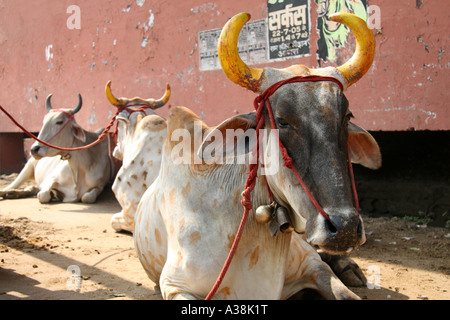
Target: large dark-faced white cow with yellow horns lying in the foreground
(187, 220)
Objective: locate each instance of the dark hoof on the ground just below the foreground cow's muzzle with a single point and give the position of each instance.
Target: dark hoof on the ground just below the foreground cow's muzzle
(345, 269)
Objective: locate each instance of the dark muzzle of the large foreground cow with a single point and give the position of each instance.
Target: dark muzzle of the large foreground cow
(340, 234)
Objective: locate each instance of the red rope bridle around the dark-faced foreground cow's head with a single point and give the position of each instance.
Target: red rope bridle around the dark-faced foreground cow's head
(246, 201)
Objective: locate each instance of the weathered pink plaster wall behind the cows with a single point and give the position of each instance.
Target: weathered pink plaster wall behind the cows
(407, 86)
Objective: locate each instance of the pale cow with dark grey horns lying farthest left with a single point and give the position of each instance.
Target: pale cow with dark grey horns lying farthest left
(66, 176)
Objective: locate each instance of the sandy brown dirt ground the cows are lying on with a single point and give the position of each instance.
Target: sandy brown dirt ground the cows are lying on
(43, 247)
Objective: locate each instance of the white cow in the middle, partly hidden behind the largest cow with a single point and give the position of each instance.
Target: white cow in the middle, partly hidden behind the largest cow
(140, 137)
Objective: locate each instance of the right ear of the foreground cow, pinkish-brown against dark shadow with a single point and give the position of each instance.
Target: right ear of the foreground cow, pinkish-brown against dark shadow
(363, 147)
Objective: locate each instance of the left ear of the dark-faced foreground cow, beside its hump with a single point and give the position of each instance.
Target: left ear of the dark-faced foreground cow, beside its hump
(233, 137)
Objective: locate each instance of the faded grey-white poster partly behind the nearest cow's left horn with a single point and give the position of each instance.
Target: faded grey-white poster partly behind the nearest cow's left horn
(252, 45)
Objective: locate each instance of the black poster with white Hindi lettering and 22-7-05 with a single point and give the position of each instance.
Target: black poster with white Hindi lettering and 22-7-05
(289, 28)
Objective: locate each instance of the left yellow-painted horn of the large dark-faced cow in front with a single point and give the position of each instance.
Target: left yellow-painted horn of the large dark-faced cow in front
(232, 64)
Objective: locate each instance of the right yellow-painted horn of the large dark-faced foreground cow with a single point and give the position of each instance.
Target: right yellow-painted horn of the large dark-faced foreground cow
(360, 62)
